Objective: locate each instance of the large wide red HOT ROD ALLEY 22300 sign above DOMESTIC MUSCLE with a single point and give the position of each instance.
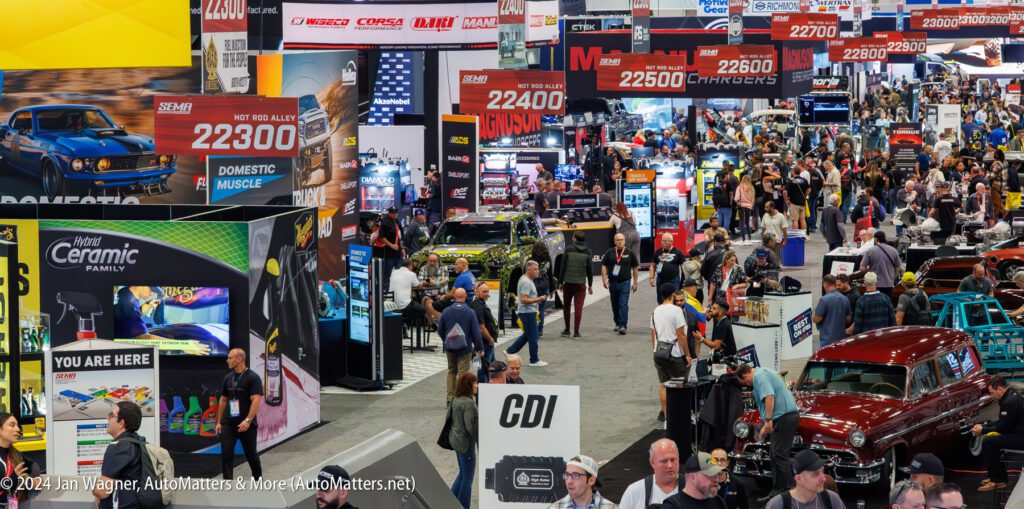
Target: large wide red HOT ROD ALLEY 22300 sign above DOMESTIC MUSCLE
(221, 125)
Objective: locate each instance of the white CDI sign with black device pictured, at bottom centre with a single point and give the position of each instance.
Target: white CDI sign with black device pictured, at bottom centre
(528, 434)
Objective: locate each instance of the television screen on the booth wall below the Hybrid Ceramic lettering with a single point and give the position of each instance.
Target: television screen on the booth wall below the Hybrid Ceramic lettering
(179, 321)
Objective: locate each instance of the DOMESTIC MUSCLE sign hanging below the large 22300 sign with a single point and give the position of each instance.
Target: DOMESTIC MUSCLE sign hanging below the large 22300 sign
(250, 181)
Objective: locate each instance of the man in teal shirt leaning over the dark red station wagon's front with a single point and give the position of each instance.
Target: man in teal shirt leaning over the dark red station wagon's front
(779, 409)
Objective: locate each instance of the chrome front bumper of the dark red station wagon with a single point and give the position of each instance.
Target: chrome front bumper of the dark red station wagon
(755, 461)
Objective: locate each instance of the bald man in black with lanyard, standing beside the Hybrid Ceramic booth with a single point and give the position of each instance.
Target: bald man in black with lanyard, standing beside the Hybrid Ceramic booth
(241, 396)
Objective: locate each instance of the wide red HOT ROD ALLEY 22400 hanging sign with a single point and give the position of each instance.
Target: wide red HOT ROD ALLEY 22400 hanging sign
(513, 92)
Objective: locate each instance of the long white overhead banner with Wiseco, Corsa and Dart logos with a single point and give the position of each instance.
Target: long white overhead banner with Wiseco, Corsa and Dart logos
(412, 26)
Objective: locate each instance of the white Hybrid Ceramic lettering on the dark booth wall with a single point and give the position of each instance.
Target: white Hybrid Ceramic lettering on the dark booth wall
(92, 253)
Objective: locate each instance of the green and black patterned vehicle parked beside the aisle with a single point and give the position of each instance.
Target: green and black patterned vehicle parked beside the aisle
(497, 246)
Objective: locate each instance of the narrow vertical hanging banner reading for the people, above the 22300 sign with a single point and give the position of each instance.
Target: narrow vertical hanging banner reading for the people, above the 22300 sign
(226, 47)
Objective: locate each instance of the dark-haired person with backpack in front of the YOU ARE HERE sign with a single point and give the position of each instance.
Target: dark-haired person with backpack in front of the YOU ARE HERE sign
(122, 460)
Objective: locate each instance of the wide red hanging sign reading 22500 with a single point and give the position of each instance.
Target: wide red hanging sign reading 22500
(638, 73)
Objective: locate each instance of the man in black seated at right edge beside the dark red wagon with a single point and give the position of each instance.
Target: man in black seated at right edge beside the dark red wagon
(1011, 430)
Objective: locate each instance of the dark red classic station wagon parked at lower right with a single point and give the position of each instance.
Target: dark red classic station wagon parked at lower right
(869, 404)
